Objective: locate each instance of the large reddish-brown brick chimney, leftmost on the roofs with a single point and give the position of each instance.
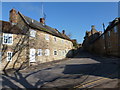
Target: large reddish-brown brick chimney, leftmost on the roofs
(13, 16)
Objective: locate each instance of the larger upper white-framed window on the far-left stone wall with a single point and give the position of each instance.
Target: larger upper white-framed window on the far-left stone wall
(7, 39)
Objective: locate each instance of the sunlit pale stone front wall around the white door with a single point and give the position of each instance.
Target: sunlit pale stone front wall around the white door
(53, 44)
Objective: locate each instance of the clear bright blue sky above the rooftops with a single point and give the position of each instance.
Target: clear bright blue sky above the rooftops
(73, 17)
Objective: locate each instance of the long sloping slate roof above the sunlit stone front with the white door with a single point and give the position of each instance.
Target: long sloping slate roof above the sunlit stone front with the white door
(37, 25)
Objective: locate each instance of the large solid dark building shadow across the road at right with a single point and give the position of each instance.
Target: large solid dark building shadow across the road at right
(108, 67)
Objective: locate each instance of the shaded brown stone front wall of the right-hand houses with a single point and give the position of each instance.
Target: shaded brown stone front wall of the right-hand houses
(107, 44)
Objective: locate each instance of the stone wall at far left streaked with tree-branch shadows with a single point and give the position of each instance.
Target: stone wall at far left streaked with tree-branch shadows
(19, 49)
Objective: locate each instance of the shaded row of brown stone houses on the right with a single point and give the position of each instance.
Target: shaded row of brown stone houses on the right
(107, 43)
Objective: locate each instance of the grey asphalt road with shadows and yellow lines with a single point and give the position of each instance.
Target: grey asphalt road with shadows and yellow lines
(83, 71)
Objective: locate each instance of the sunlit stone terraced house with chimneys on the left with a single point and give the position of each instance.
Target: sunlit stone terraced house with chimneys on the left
(26, 41)
